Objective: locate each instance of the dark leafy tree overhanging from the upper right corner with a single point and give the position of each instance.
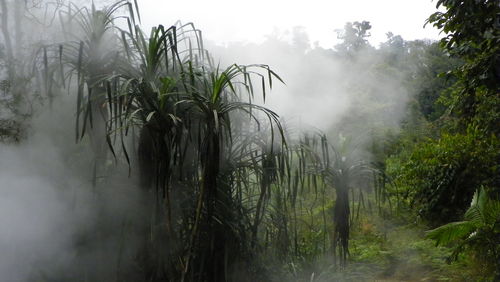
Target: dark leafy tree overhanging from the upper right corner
(473, 29)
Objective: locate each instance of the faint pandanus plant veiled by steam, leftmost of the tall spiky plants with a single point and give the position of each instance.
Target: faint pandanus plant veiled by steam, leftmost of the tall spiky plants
(88, 58)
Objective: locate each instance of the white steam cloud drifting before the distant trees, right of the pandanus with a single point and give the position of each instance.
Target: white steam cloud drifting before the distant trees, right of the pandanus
(321, 88)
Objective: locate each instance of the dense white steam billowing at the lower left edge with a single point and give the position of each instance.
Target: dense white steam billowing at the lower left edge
(43, 202)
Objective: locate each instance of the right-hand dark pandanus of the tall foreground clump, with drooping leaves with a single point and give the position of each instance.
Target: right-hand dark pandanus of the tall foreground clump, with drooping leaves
(212, 106)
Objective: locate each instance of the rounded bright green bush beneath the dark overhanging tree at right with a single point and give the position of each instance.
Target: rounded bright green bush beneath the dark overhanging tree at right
(441, 175)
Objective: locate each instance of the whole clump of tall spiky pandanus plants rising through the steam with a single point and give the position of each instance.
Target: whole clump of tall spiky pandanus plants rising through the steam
(167, 88)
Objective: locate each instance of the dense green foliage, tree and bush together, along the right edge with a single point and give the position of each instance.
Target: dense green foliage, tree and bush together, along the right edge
(443, 172)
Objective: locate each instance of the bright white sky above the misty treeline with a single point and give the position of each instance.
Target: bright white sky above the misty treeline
(251, 20)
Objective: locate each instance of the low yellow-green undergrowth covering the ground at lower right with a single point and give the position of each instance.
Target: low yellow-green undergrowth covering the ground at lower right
(386, 250)
